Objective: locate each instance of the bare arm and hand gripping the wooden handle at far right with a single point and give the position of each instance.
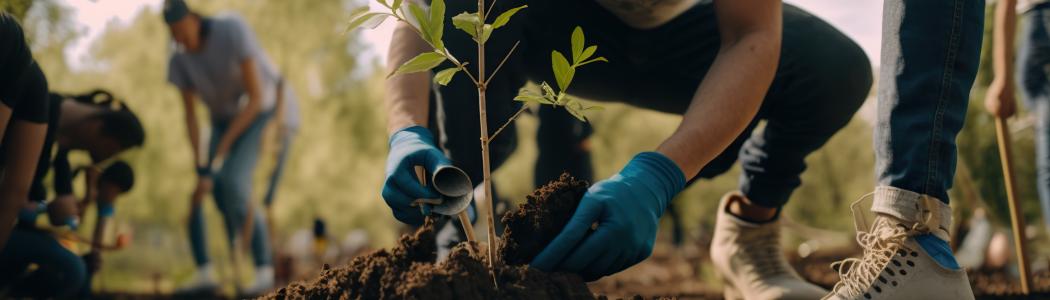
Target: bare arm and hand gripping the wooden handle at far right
(1000, 99)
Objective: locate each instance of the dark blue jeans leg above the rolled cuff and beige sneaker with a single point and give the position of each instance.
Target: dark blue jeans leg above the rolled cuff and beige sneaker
(931, 52)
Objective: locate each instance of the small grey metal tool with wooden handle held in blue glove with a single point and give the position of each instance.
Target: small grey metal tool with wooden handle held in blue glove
(456, 192)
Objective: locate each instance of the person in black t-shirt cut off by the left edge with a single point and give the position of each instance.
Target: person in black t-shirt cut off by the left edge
(24, 120)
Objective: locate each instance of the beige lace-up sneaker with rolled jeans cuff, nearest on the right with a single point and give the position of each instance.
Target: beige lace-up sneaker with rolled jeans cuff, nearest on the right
(894, 265)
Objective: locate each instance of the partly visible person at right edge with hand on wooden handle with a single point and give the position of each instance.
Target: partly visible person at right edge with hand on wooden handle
(1033, 76)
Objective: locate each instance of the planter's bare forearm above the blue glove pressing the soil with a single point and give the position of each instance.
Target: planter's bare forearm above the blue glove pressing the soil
(727, 101)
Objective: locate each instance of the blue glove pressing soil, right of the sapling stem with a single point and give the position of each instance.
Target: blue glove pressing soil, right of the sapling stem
(627, 208)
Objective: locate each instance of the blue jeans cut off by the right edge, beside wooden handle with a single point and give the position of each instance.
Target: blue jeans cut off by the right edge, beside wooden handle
(1034, 58)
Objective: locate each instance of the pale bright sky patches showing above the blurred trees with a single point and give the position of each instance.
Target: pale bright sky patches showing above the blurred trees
(859, 19)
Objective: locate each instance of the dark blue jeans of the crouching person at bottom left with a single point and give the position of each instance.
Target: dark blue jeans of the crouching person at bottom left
(60, 274)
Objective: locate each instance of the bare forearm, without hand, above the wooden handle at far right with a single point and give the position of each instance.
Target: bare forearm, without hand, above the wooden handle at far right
(1003, 34)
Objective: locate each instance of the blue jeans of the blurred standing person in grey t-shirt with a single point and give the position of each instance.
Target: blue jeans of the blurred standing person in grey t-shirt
(233, 192)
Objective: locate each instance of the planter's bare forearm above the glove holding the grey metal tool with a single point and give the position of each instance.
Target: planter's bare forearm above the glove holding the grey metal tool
(407, 101)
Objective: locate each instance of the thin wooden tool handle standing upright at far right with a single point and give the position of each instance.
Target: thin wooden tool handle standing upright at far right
(1017, 221)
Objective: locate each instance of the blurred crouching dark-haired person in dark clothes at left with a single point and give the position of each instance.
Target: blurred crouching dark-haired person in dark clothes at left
(95, 123)
